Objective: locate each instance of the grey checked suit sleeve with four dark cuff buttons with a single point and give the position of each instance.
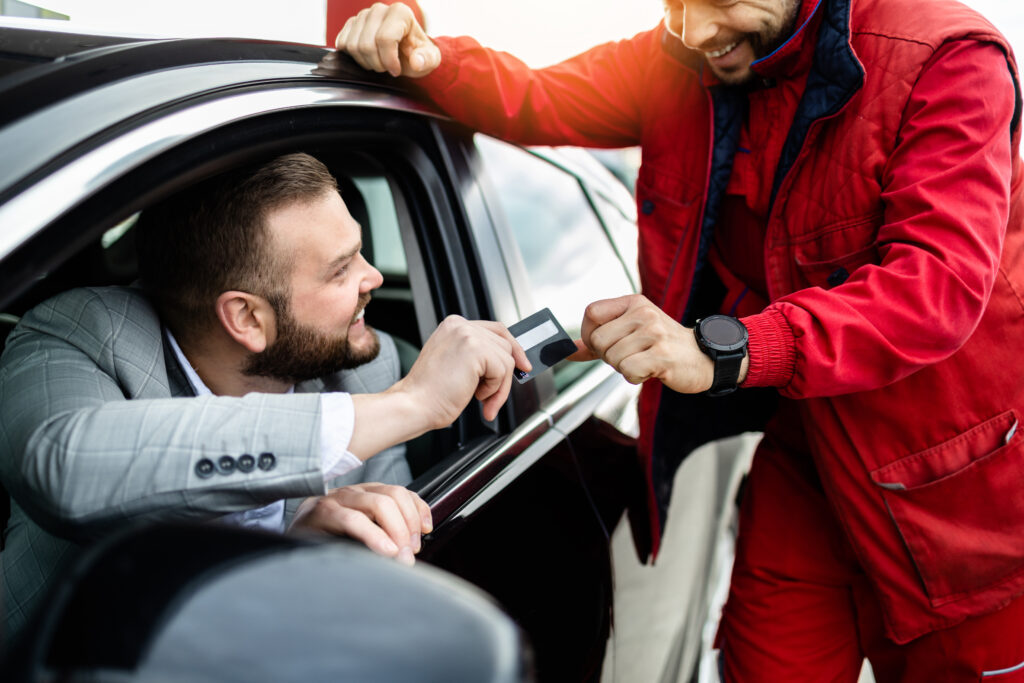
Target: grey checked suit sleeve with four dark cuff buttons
(79, 456)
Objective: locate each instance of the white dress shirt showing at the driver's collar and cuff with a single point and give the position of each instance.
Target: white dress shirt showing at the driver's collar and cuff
(337, 422)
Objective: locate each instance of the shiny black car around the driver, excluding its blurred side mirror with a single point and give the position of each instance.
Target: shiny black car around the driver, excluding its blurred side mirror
(94, 130)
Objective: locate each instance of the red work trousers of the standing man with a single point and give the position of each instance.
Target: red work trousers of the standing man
(801, 609)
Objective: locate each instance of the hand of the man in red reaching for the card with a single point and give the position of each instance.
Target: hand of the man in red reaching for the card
(639, 340)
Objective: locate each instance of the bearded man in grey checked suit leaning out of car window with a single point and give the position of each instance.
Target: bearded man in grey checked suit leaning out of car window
(228, 383)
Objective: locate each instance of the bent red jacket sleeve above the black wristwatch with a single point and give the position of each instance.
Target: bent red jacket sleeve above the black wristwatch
(947, 199)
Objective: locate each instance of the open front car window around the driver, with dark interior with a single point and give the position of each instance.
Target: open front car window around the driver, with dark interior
(391, 185)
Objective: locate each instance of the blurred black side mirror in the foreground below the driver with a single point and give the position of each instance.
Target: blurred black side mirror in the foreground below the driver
(217, 604)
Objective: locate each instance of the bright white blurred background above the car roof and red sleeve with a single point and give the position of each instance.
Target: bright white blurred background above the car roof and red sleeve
(540, 32)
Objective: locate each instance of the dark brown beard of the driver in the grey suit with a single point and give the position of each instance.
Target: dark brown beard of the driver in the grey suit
(302, 353)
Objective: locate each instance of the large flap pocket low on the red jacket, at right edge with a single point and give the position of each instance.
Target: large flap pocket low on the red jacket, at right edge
(960, 508)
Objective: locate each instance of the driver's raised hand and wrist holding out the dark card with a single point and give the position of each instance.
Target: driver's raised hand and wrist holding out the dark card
(462, 360)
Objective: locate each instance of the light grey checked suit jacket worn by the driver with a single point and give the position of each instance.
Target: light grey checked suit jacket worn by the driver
(100, 429)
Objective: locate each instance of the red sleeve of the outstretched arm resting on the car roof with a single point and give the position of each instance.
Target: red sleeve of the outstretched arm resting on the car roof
(593, 100)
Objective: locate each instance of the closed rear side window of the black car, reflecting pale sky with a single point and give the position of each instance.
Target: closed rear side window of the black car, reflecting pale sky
(567, 253)
